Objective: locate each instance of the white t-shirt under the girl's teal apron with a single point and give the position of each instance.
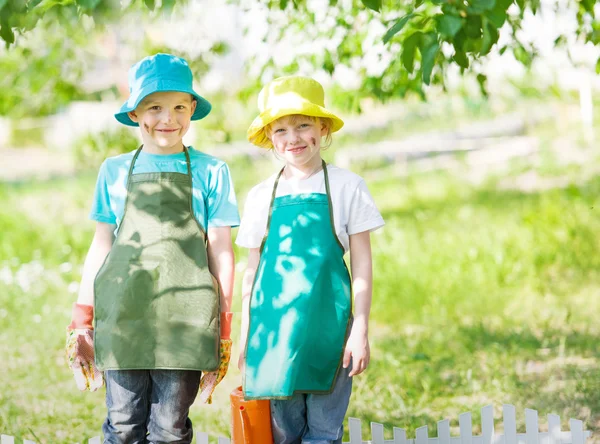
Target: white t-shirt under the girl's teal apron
(354, 210)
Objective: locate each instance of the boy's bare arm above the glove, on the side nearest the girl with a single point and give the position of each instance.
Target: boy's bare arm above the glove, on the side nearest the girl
(221, 262)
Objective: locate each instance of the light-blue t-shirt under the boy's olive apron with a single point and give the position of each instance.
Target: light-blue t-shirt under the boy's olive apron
(214, 201)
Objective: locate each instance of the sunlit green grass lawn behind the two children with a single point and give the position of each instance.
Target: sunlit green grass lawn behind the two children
(480, 296)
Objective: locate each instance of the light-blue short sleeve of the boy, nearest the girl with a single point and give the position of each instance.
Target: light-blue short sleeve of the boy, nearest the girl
(221, 202)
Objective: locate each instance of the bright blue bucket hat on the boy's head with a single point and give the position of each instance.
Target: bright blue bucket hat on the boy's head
(160, 72)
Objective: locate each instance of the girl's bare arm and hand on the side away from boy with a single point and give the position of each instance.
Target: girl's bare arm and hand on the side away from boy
(357, 346)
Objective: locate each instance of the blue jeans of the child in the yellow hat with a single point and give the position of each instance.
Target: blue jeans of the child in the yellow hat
(313, 419)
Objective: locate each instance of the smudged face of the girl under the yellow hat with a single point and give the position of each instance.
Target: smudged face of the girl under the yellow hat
(297, 139)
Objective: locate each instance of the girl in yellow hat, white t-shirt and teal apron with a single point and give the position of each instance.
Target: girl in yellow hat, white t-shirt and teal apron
(300, 343)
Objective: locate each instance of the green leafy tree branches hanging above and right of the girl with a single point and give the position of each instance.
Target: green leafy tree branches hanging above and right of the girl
(422, 39)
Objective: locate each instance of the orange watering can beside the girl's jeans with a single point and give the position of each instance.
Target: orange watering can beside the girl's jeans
(250, 420)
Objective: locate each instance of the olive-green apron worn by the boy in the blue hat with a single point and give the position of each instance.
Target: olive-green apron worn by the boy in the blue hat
(156, 304)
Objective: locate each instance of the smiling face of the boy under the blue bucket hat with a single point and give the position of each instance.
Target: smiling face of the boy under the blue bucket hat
(164, 118)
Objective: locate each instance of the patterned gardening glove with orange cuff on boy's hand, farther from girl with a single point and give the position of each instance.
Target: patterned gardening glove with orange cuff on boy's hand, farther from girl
(80, 349)
